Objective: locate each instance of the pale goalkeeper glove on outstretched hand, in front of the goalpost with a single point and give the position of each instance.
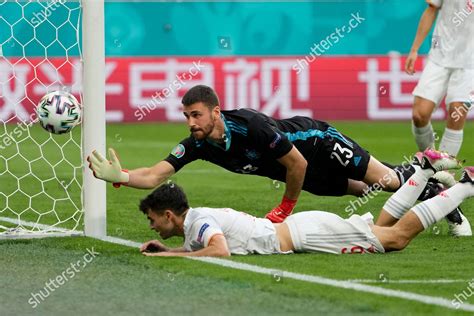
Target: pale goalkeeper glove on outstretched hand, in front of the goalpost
(108, 170)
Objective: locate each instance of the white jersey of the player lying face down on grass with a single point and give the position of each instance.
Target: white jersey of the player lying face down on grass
(245, 234)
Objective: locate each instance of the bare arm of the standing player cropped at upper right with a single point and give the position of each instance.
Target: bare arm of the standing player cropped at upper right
(424, 27)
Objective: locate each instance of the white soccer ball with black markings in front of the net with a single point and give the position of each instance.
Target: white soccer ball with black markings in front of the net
(58, 112)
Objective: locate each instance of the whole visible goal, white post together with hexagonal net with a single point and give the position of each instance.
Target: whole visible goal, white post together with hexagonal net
(46, 188)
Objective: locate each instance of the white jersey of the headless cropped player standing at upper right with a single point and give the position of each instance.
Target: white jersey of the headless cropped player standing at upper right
(452, 44)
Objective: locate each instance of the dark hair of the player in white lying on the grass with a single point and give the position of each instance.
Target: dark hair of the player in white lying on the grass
(166, 197)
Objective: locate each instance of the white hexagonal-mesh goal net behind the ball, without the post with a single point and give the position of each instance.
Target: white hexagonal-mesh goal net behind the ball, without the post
(41, 174)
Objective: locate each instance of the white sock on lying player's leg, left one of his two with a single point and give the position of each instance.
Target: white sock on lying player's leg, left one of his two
(405, 197)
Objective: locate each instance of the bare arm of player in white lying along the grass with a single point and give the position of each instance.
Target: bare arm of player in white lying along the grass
(217, 247)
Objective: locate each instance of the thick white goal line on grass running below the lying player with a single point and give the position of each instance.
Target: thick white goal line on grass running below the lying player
(350, 285)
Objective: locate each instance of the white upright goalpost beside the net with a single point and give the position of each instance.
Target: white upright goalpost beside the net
(93, 43)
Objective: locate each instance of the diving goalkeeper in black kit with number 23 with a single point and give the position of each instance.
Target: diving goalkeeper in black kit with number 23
(304, 153)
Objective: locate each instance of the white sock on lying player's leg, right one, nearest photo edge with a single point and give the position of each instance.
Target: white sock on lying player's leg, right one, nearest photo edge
(433, 210)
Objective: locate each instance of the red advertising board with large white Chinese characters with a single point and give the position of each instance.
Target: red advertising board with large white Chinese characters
(150, 89)
